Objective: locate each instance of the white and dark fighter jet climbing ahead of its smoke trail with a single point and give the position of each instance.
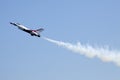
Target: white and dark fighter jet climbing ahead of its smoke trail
(32, 32)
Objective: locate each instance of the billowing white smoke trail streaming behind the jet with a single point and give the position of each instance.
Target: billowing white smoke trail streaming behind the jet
(105, 55)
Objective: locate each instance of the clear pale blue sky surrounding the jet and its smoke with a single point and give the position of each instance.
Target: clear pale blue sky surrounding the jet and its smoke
(23, 57)
